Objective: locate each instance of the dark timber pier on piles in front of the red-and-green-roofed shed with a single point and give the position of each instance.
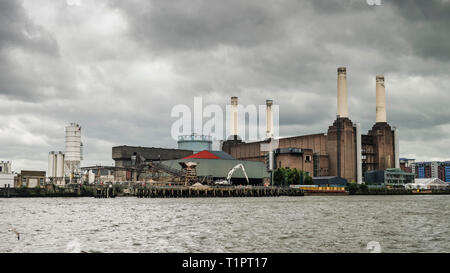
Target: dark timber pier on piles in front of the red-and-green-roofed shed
(183, 192)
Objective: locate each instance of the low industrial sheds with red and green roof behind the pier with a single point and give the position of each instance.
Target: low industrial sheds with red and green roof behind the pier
(160, 165)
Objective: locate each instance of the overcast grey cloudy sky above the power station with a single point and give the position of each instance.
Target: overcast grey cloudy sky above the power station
(118, 67)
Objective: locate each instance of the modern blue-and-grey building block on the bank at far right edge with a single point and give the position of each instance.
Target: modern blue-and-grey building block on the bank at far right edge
(432, 169)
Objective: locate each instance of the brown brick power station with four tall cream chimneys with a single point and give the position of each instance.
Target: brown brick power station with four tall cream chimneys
(342, 151)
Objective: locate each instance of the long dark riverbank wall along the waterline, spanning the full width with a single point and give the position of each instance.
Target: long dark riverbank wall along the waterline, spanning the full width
(104, 191)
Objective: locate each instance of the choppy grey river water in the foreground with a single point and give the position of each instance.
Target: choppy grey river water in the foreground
(272, 224)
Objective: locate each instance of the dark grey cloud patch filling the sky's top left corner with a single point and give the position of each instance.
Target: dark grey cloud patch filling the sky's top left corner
(28, 54)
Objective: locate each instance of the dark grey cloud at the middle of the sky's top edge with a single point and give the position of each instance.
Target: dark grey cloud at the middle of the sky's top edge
(202, 25)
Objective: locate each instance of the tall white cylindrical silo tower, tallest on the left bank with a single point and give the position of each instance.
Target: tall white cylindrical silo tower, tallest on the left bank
(73, 154)
